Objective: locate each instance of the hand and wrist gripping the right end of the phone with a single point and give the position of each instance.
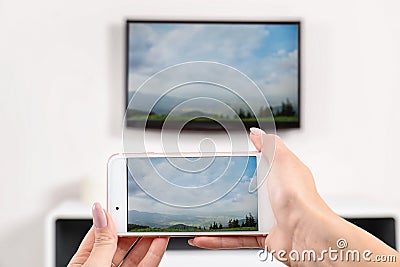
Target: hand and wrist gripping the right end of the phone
(303, 220)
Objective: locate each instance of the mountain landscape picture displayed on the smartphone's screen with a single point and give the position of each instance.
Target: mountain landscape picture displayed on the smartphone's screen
(236, 210)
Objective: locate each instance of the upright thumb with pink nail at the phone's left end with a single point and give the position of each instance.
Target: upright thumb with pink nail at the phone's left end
(105, 243)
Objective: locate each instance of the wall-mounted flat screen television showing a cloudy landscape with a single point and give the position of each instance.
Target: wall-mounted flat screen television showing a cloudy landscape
(267, 52)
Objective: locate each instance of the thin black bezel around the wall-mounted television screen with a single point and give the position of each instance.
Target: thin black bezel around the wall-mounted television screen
(199, 125)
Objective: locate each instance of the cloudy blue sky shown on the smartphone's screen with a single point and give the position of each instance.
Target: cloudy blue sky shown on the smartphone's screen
(193, 181)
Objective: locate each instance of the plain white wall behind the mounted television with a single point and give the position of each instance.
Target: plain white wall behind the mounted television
(61, 101)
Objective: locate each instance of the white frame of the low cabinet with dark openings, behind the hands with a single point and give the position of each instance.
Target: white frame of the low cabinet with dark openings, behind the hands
(245, 257)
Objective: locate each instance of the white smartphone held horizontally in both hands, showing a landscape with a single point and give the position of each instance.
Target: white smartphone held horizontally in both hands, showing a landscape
(152, 194)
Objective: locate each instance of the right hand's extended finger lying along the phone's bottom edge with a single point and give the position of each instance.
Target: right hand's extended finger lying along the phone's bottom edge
(227, 242)
